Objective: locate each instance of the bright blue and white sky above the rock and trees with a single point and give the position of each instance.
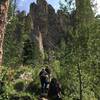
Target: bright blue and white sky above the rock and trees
(24, 4)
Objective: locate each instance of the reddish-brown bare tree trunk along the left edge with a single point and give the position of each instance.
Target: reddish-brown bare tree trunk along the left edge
(4, 4)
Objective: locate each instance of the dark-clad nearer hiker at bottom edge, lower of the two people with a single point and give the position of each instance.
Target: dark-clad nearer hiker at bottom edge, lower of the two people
(54, 91)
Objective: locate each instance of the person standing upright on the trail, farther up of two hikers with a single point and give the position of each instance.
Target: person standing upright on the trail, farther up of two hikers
(44, 80)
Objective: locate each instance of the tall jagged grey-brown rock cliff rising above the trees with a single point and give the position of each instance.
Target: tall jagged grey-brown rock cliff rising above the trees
(52, 25)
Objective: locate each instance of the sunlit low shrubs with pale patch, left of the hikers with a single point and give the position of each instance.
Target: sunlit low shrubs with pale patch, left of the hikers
(20, 83)
